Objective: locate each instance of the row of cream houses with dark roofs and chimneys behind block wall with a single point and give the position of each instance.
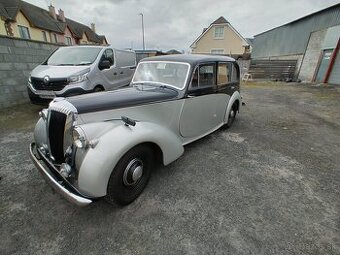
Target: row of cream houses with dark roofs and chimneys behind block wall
(23, 20)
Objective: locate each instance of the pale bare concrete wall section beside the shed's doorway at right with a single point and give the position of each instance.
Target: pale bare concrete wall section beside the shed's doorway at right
(312, 55)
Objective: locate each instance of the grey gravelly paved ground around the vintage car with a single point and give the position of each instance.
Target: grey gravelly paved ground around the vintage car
(269, 185)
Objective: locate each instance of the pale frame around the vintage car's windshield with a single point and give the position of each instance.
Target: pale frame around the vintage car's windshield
(159, 83)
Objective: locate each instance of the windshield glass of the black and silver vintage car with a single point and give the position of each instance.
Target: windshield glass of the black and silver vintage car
(163, 73)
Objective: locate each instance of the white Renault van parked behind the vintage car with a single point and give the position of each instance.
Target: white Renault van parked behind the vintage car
(77, 70)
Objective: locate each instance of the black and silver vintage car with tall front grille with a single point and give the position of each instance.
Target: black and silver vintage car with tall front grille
(106, 144)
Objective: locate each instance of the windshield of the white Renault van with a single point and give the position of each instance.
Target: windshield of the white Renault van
(71, 56)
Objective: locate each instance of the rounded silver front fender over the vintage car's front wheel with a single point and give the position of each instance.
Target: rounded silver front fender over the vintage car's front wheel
(97, 163)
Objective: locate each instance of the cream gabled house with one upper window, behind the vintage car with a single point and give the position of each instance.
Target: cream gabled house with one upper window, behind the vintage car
(221, 38)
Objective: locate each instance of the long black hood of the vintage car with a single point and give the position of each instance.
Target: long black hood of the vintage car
(131, 96)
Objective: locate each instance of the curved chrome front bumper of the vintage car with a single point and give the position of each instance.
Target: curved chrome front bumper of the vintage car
(70, 196)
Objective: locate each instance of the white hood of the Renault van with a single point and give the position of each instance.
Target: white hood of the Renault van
(57, 71)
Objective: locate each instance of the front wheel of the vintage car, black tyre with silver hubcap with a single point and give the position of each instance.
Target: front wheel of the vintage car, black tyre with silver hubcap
(130, 176)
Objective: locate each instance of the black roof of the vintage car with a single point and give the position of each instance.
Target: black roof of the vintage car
(192, 59)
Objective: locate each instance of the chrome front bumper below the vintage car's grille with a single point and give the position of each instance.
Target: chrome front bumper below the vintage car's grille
(51, 178)
